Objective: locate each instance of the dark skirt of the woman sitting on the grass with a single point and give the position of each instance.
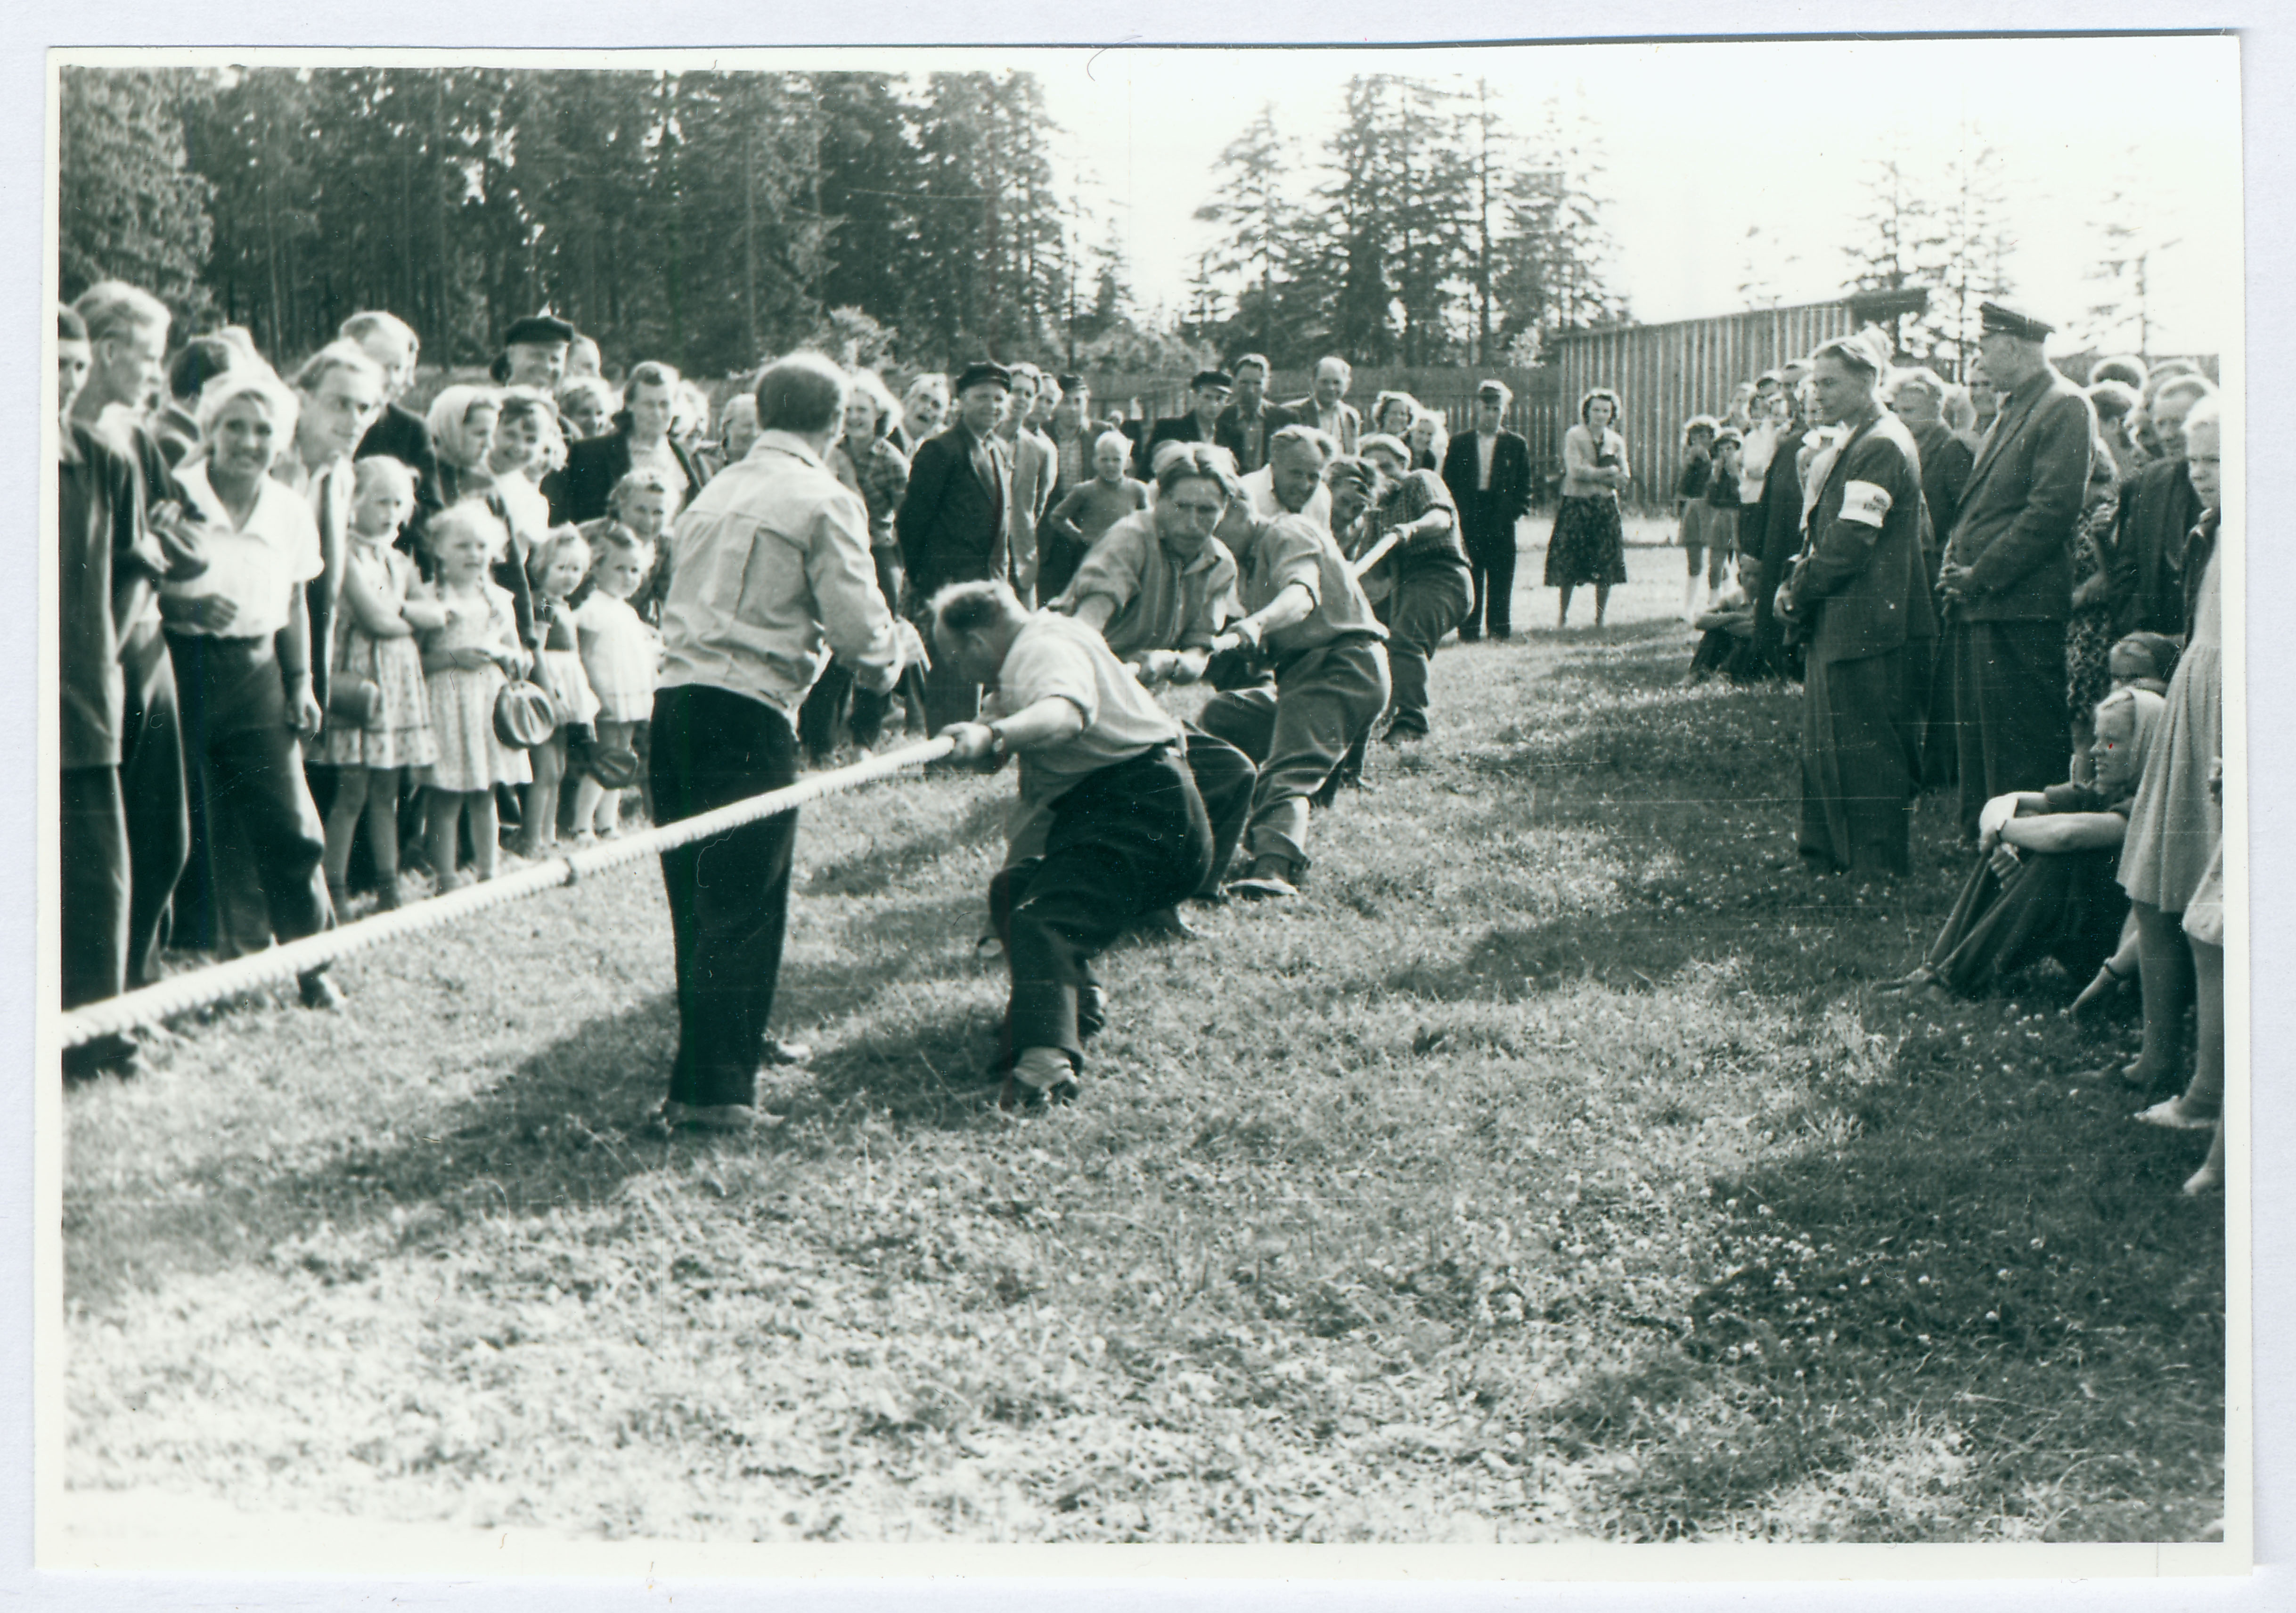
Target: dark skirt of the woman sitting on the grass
(2058, 906)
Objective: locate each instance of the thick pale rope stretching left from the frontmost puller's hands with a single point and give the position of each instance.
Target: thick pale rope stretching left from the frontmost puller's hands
(196, 989)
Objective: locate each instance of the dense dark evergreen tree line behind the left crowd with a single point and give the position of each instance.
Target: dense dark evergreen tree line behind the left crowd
(704, 219)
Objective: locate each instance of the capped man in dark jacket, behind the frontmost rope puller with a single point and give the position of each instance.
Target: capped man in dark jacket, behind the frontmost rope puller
(954, 520)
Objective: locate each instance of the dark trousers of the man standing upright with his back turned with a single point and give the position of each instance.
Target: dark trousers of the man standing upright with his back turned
(731, 893)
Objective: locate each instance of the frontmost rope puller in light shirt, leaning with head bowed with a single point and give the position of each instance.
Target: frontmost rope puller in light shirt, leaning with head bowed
(1126, 831)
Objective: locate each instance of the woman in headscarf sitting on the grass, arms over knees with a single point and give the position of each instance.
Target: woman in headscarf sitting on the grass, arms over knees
(2045, 881)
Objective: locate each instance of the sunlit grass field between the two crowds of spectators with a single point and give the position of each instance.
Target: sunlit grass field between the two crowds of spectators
(1549, 1173)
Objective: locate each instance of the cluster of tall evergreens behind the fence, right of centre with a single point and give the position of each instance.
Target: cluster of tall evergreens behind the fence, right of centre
(1427, 231)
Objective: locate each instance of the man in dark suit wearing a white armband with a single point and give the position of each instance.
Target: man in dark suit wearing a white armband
(1861, 592)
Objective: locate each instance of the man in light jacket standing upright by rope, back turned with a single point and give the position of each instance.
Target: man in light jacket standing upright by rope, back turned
(773, 580)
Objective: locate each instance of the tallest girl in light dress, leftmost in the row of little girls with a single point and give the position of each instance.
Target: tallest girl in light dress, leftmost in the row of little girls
(378, 645)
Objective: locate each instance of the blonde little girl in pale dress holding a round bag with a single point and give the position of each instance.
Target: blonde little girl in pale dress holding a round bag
(467, 663)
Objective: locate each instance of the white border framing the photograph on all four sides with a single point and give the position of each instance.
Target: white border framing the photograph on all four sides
(1379, 1575)
